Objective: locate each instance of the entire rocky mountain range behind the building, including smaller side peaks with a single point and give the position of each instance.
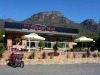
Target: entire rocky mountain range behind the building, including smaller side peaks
(57, 19)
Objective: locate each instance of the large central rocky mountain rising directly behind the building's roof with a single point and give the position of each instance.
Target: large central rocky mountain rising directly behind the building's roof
(55, 18)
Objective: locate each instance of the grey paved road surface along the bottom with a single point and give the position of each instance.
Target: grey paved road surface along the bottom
(80, 69)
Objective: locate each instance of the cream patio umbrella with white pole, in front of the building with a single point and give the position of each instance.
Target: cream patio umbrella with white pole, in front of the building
(32, 36)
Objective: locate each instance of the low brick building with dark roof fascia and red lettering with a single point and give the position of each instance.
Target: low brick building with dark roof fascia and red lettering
(50, 33)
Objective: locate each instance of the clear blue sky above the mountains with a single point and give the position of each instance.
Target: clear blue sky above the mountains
(75, 10)
